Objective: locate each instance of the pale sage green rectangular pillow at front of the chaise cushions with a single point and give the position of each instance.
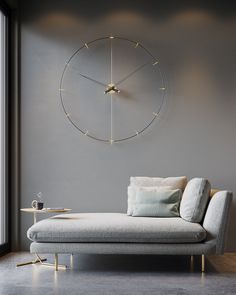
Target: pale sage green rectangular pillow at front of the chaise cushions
(153, 203)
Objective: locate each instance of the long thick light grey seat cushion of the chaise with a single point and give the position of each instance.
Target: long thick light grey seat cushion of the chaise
(115, 227)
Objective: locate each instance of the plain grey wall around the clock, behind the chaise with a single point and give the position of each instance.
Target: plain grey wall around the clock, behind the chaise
(195, 135)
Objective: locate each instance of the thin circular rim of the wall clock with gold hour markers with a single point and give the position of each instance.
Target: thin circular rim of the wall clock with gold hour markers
(155, 113)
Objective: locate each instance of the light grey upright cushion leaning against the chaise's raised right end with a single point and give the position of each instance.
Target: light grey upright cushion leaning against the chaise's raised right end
(195, 199)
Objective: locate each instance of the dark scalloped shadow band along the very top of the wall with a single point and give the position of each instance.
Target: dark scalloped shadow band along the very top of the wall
(152, 9)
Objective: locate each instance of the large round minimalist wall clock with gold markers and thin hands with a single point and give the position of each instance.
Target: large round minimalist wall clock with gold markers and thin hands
(112, 89)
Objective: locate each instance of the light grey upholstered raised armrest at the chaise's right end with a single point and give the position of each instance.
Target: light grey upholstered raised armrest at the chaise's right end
(216, 219)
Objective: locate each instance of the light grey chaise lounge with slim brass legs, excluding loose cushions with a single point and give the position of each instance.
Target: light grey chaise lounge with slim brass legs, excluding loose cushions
(117, 233)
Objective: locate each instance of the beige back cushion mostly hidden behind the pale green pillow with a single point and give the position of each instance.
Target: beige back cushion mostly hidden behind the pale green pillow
(173, 182)
